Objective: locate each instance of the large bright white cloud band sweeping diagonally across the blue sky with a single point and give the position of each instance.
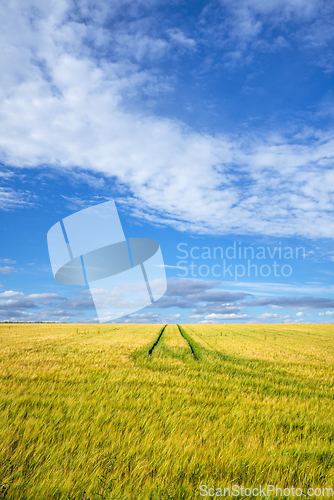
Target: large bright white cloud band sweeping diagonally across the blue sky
(63, 106)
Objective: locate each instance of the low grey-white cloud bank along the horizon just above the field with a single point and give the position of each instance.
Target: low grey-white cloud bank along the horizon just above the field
(198, 300)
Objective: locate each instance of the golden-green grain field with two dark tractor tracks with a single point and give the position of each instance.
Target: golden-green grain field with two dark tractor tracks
(140, 412)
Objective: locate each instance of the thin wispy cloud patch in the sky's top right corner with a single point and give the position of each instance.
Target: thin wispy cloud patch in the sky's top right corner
(249, 26)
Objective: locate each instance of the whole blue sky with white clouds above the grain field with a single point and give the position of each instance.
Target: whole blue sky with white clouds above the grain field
(209, 123)
